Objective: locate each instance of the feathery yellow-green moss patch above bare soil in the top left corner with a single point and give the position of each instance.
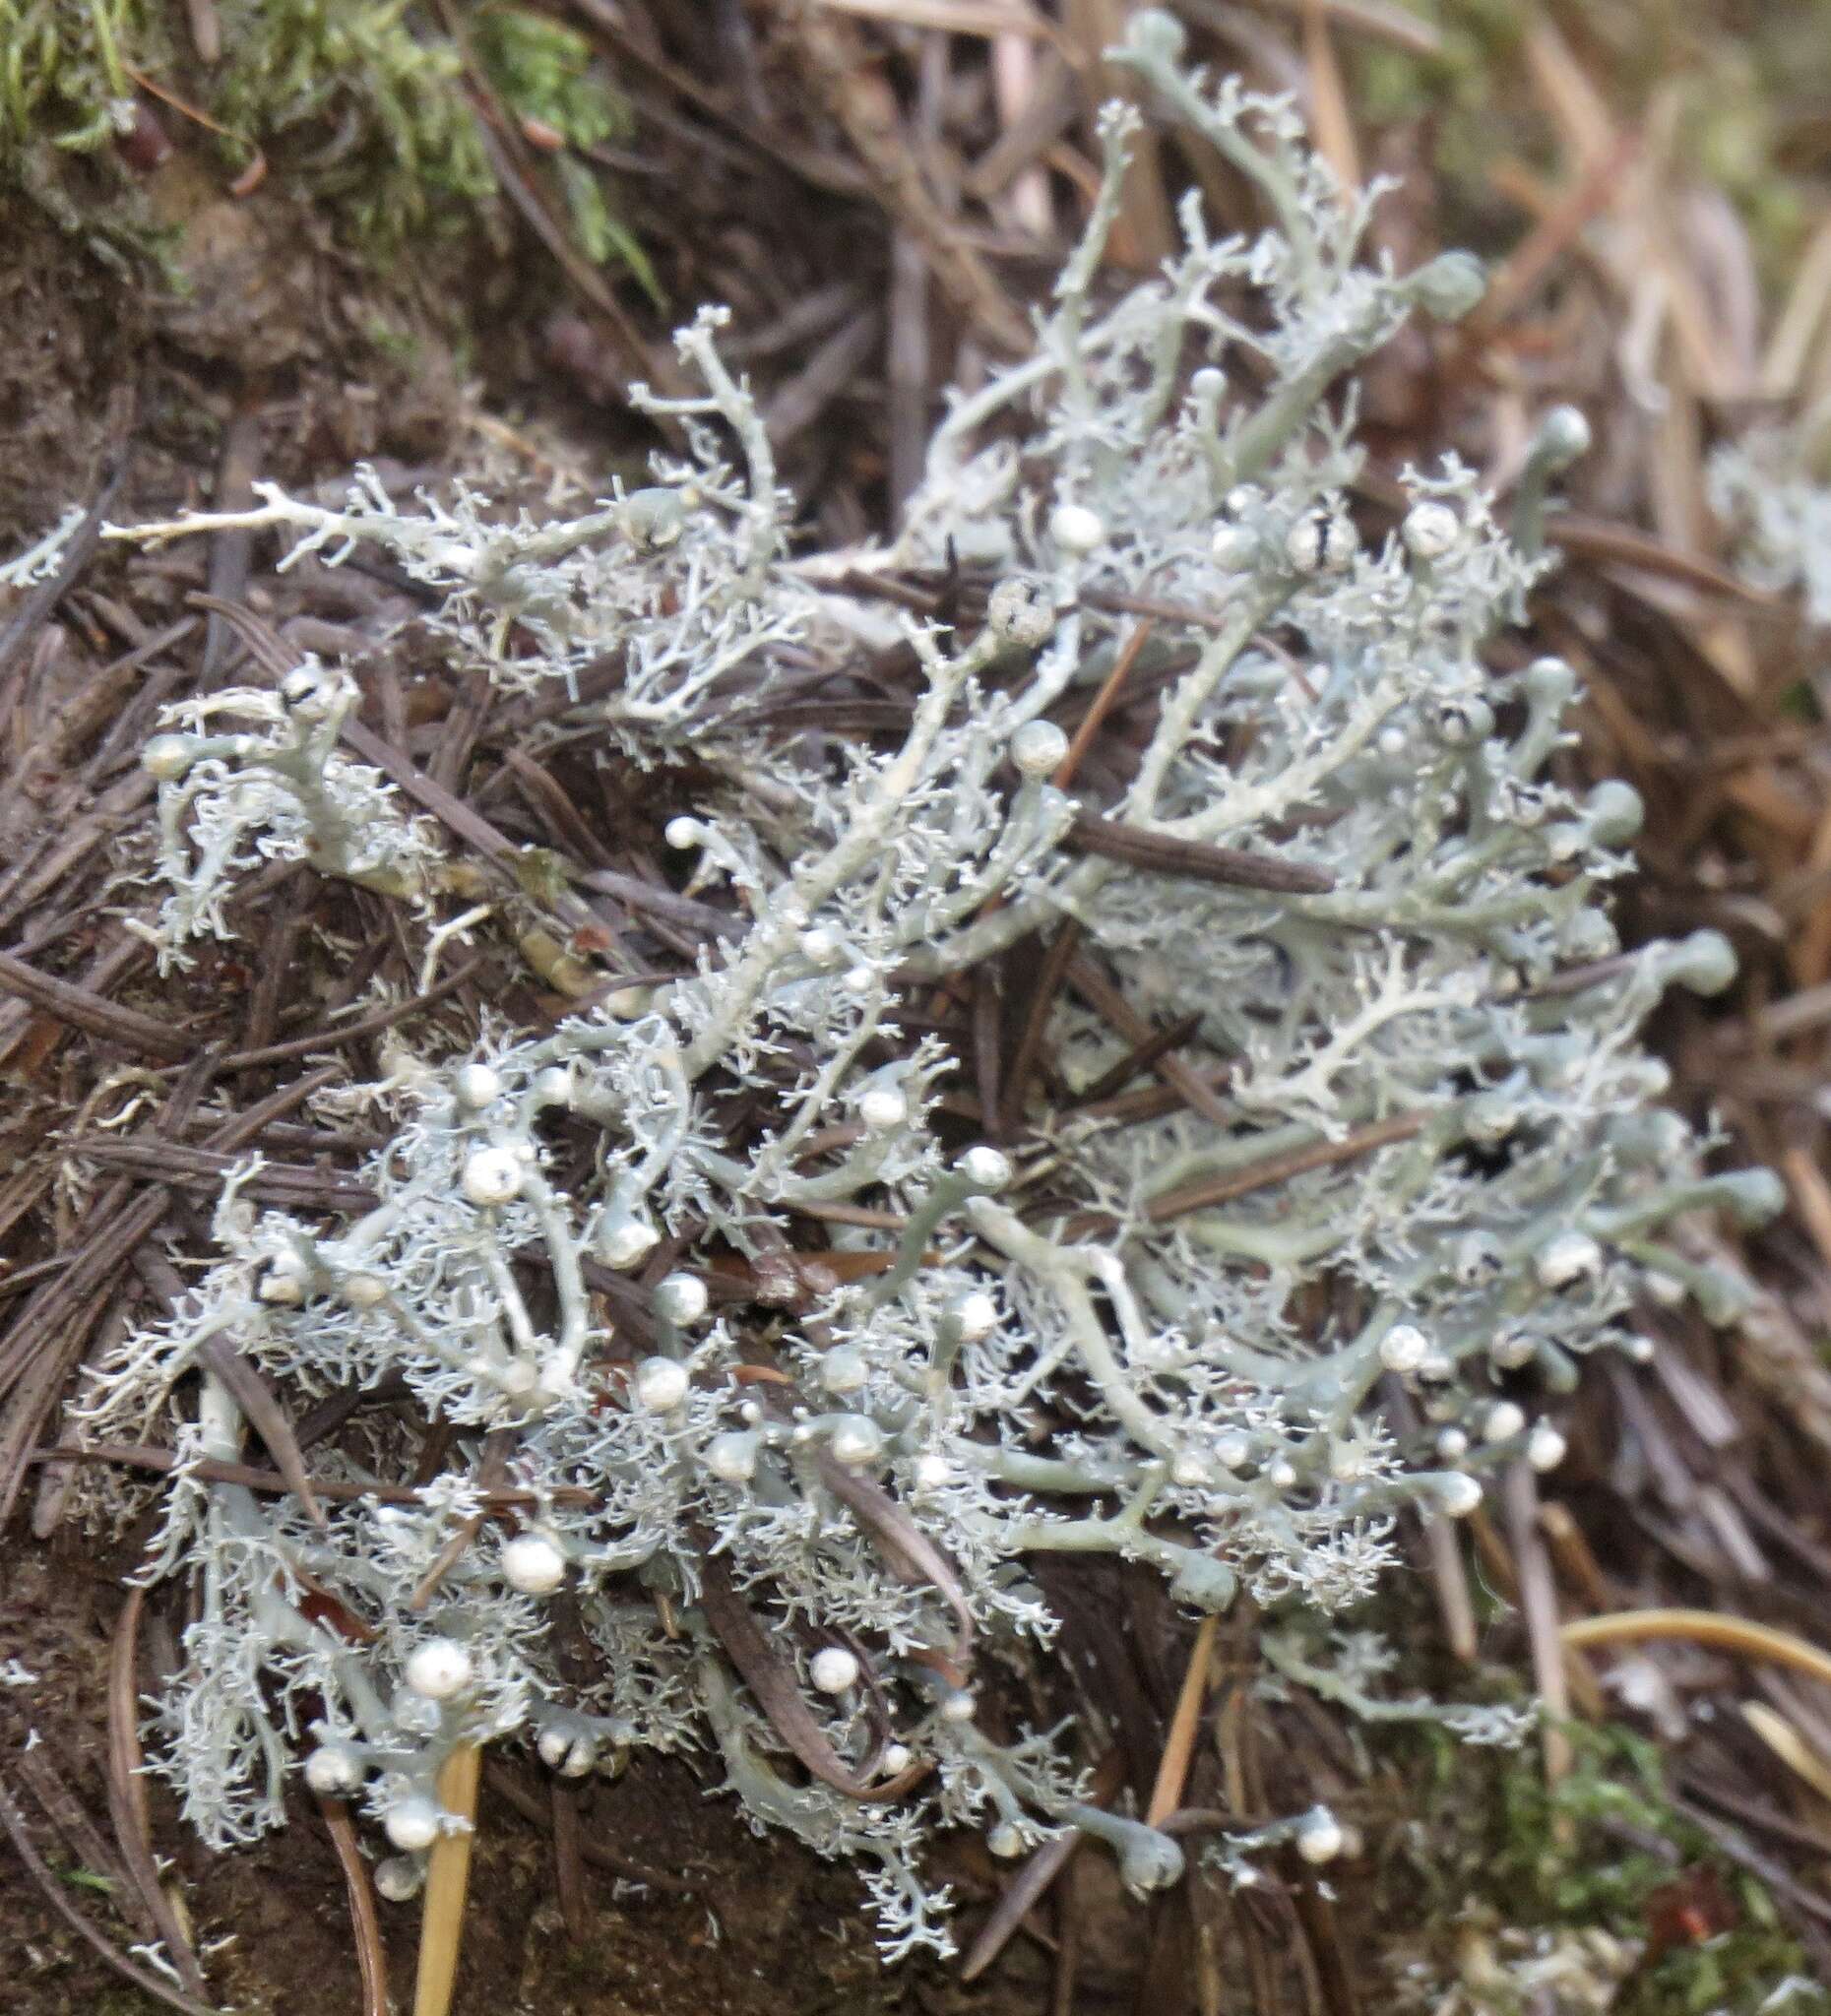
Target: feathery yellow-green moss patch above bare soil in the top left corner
(368, 110)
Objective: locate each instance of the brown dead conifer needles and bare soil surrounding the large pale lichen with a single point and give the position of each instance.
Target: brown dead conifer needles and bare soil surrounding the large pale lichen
(878, 188)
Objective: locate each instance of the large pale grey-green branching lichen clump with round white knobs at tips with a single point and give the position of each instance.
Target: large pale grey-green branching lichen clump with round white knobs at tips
(755, 1336)
